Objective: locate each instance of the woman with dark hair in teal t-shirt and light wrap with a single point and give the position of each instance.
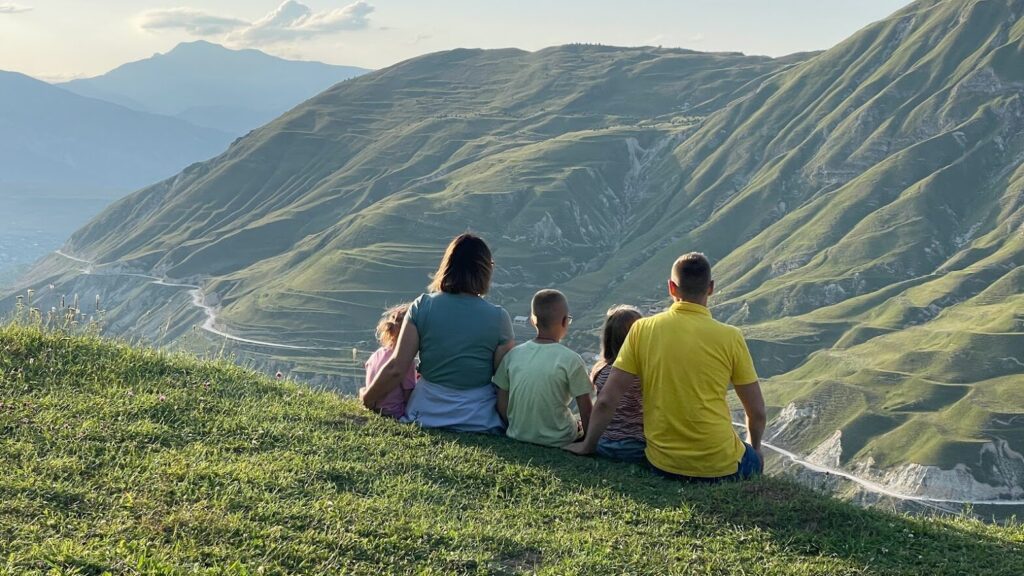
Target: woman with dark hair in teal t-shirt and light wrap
(461, 340)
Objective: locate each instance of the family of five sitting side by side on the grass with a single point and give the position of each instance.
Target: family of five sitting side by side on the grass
(661, 384)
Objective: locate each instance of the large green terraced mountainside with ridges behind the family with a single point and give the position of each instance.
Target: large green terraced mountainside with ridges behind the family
(865, 208)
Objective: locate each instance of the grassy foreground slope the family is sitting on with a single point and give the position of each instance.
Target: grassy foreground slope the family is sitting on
(126, 461)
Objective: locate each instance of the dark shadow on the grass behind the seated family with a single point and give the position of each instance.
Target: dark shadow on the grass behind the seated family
(798, 519)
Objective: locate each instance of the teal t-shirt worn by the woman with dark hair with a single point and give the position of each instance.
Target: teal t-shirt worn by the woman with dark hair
(458, 337)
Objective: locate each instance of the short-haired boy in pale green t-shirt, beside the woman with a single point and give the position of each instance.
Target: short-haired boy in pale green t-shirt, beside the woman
(537, 381)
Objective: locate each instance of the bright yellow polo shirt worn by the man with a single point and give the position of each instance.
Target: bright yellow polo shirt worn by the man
(686, 361)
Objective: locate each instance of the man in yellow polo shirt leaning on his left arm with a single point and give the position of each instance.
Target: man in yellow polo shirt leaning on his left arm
(686, 361)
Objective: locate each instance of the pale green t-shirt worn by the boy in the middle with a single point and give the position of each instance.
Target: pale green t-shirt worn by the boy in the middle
(542, 380)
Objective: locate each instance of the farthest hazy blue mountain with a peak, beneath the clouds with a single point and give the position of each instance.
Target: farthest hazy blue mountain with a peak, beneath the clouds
(214, 87)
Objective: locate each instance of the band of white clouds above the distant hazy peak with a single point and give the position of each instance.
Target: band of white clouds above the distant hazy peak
(291, 21)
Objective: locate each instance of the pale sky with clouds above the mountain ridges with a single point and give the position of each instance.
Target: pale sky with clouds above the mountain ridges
(63, 39)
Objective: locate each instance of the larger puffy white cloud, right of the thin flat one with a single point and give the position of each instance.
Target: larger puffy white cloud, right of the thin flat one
(294, 21)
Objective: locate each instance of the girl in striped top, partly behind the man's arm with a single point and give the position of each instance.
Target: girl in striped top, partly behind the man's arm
(624, 439)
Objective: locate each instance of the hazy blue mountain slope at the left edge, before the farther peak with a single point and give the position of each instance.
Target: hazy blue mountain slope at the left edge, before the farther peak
(52, 138)
